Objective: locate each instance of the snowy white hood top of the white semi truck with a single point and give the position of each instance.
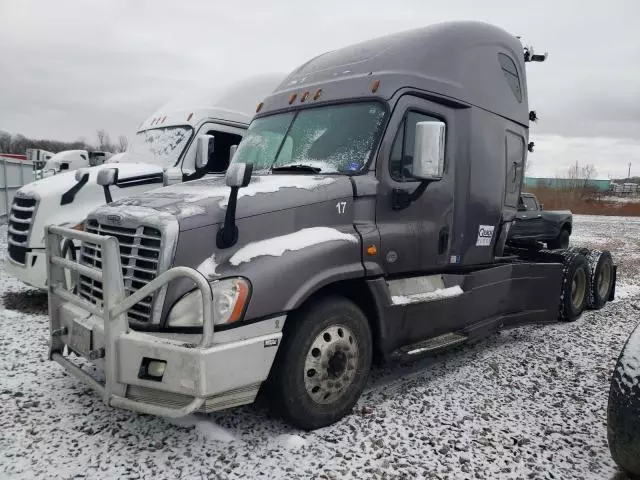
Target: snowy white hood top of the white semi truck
(56, 185)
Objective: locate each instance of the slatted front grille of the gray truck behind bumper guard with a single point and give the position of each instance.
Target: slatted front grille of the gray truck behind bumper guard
(140, 257)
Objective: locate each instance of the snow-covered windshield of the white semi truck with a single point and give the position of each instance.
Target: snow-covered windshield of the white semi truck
(159, 146)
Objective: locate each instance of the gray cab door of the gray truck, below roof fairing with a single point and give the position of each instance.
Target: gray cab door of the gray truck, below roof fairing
(414, 237)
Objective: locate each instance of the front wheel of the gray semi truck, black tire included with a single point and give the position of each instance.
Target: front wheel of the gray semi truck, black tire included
(288, 385)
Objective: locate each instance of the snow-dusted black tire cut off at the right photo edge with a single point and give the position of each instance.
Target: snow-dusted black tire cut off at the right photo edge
(623, 410)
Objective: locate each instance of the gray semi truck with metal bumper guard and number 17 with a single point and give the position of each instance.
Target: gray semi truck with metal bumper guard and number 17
(363, 218)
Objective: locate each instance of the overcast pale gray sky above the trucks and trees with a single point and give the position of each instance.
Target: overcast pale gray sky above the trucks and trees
(70, 67)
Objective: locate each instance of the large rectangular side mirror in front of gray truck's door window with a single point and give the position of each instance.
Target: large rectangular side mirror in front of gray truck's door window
(428, 152)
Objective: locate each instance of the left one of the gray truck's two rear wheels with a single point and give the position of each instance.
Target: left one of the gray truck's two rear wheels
(576, 280)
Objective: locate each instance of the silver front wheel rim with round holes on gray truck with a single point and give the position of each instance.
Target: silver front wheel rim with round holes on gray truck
(331, 363)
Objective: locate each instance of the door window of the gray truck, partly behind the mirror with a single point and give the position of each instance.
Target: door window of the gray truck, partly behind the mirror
(401, 160)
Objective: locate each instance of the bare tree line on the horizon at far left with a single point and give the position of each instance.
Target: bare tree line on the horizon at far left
(19, 144)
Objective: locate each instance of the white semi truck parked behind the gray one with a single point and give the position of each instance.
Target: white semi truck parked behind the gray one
(164, 150)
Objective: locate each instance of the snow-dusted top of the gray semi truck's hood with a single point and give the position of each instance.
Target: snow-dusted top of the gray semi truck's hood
(203, 202)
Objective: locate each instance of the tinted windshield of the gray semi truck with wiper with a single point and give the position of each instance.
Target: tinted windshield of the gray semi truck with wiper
(332, 139)
